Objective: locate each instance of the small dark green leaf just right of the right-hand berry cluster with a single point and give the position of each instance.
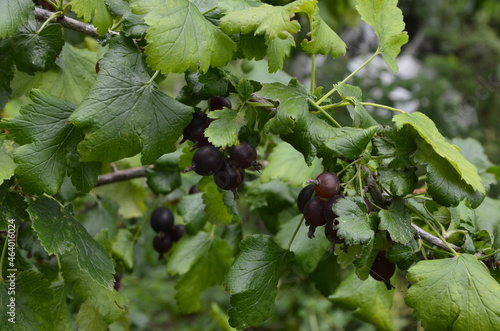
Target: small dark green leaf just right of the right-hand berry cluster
(398, 182)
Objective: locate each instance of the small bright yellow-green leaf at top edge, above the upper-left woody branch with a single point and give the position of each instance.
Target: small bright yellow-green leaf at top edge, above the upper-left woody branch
(94, 11)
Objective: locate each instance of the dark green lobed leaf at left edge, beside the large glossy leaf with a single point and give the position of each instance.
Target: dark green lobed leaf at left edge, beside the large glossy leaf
(49, 144)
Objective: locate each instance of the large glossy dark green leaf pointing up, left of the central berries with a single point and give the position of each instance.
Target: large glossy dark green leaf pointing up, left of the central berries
(124, 114)
